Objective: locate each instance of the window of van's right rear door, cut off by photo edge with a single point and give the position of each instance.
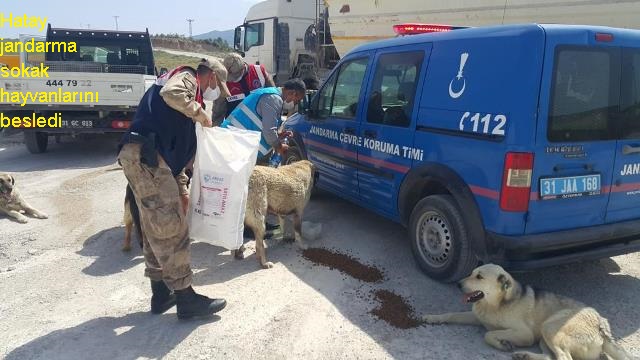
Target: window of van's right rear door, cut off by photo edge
(630, 124)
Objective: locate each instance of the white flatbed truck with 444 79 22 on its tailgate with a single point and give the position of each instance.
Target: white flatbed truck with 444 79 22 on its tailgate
(95, 89)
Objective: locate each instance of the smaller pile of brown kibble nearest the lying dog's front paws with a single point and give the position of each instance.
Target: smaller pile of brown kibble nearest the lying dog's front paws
(395, 310)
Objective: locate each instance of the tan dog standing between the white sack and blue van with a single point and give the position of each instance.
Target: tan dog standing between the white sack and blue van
(281, 191)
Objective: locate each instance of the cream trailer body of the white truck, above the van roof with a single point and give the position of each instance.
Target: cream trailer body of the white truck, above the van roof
(356, 21)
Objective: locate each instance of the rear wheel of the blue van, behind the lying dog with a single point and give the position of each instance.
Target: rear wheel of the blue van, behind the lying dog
(440, 239)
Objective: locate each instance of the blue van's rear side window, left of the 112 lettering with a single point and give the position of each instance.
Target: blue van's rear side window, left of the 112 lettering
(394, 89)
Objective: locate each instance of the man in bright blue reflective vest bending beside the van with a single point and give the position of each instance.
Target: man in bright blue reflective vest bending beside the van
(262, 111)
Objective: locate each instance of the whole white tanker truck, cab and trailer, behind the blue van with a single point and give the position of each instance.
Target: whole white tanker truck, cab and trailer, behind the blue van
(294, 38)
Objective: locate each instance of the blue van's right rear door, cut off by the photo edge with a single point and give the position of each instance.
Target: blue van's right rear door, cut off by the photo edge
(624, 201)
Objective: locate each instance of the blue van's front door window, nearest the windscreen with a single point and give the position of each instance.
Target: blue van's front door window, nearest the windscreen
(347, 92)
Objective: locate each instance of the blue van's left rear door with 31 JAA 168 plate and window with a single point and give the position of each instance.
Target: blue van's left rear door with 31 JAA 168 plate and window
(576, 139)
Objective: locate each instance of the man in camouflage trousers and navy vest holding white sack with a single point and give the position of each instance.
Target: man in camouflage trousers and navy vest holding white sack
(154, 153)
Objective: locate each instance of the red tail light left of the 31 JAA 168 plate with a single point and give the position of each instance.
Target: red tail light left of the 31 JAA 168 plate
(516, 182)
